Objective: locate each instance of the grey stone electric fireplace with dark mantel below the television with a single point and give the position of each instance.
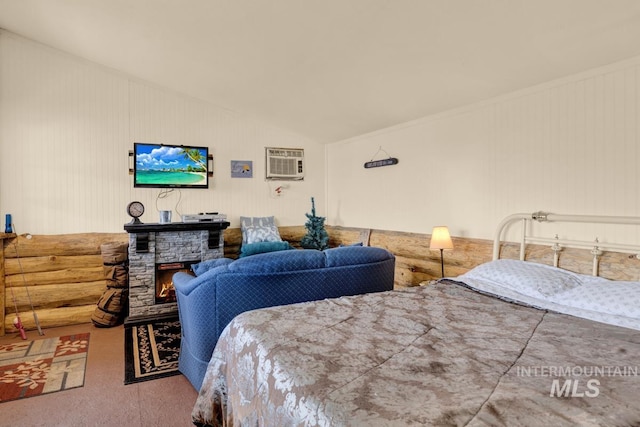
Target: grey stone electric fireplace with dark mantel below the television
(156, 252)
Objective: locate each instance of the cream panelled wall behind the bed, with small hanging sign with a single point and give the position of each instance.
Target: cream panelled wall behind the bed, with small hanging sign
(569, 146)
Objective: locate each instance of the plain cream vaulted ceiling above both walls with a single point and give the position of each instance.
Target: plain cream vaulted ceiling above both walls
(334, 69)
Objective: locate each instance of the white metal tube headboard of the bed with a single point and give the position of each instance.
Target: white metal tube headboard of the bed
(557, 244)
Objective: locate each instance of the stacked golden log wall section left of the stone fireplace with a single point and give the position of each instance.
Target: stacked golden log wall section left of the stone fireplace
(60, 276)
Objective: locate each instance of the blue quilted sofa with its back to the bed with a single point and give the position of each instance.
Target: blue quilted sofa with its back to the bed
(209, 301)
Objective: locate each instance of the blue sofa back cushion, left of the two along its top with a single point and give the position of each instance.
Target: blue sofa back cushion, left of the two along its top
(272, 262)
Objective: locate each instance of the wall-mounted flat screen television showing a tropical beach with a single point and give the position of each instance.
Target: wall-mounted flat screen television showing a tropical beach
(170, 166)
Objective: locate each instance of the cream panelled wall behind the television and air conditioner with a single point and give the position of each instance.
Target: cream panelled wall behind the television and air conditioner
(67, 125)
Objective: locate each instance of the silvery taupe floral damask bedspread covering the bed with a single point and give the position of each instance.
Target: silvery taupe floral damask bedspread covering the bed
(436, 355)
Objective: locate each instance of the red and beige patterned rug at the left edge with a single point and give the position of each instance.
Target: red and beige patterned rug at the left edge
(32, 368)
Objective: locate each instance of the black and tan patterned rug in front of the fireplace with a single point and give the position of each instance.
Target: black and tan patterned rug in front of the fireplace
(151, 350)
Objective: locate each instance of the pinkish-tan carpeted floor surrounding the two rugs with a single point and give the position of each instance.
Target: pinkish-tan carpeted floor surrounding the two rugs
(104, 400)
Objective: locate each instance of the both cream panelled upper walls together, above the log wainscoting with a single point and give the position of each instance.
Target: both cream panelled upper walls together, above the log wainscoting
(66, 126)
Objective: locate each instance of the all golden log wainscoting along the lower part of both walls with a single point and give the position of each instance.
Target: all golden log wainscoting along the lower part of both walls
(65, 278)
